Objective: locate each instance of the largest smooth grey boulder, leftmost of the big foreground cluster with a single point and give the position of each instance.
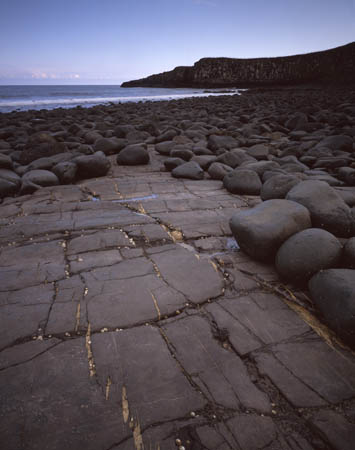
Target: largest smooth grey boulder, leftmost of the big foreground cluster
(261, 231)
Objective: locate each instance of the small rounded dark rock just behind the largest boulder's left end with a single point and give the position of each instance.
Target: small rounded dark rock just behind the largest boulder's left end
(242, 181)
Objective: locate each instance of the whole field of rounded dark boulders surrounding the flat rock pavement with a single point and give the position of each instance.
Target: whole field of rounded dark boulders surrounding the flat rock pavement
(293, 148)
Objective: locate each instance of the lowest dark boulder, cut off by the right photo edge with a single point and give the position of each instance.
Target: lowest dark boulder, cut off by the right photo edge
(333, 292)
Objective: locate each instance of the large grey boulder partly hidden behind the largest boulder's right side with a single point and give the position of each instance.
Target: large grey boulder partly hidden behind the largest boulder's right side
(328, 209)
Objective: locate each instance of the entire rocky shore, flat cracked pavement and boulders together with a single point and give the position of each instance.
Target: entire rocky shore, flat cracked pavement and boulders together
(180, 274)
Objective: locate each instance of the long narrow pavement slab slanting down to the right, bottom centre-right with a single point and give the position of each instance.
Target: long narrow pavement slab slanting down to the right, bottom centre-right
(219, 372)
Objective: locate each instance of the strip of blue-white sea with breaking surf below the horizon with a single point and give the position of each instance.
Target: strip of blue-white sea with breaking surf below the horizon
(22, 98)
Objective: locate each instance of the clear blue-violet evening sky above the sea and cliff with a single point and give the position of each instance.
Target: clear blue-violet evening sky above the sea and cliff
(111, 41)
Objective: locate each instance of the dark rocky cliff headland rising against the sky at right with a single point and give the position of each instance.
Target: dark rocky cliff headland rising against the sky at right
(335, 65)
